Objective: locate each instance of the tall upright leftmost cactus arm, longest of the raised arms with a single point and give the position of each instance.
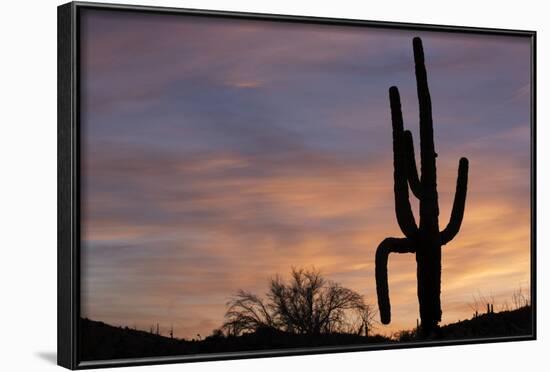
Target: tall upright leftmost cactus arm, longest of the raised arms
(403, 210)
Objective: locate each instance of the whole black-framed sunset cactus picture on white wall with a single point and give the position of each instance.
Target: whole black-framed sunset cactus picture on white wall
(236, 185)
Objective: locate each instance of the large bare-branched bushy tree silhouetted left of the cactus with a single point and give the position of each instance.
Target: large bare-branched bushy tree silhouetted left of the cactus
(307, 304)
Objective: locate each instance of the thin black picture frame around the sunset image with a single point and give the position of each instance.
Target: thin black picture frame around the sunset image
(69, 183)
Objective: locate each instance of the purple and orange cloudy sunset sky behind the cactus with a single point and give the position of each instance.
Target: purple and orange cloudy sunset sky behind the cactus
(217, 153)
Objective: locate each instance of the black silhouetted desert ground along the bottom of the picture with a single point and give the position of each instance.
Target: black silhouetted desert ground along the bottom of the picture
(100, 341)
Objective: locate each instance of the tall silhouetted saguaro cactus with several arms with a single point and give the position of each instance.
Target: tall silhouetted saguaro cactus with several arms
(424, 239)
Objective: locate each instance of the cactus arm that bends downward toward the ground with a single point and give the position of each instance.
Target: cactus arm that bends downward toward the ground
(388, 245)
